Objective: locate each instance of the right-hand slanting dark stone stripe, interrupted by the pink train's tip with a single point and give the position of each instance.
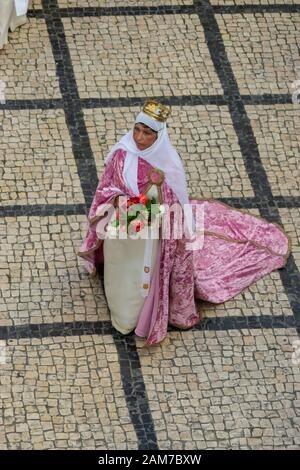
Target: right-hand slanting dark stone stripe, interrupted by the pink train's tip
(290, 275)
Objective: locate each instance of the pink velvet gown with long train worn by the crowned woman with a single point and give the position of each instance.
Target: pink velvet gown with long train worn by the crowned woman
(238, 250)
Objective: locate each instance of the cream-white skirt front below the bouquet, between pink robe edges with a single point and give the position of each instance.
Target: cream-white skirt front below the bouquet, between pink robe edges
(123, 268)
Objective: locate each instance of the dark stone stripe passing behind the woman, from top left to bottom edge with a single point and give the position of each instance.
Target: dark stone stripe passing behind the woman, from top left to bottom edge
(88, 178)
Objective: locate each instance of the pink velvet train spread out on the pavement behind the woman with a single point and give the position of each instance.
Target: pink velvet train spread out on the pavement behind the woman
(238, 249)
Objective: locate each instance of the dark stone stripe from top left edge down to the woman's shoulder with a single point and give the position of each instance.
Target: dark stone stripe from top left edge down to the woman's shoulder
(82, 151)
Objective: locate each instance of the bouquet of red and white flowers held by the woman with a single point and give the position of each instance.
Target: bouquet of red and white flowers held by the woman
(138, 213)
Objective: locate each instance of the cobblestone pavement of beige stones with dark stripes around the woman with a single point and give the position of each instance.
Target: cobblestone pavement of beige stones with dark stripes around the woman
(75, 75)
